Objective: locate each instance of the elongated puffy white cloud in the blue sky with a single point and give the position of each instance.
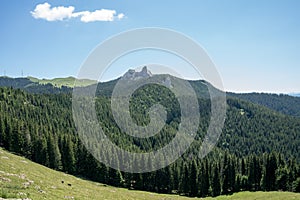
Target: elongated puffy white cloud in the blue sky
(44, 11)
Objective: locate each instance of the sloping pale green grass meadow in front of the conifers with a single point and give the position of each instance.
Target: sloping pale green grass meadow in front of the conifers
(21, 178)
